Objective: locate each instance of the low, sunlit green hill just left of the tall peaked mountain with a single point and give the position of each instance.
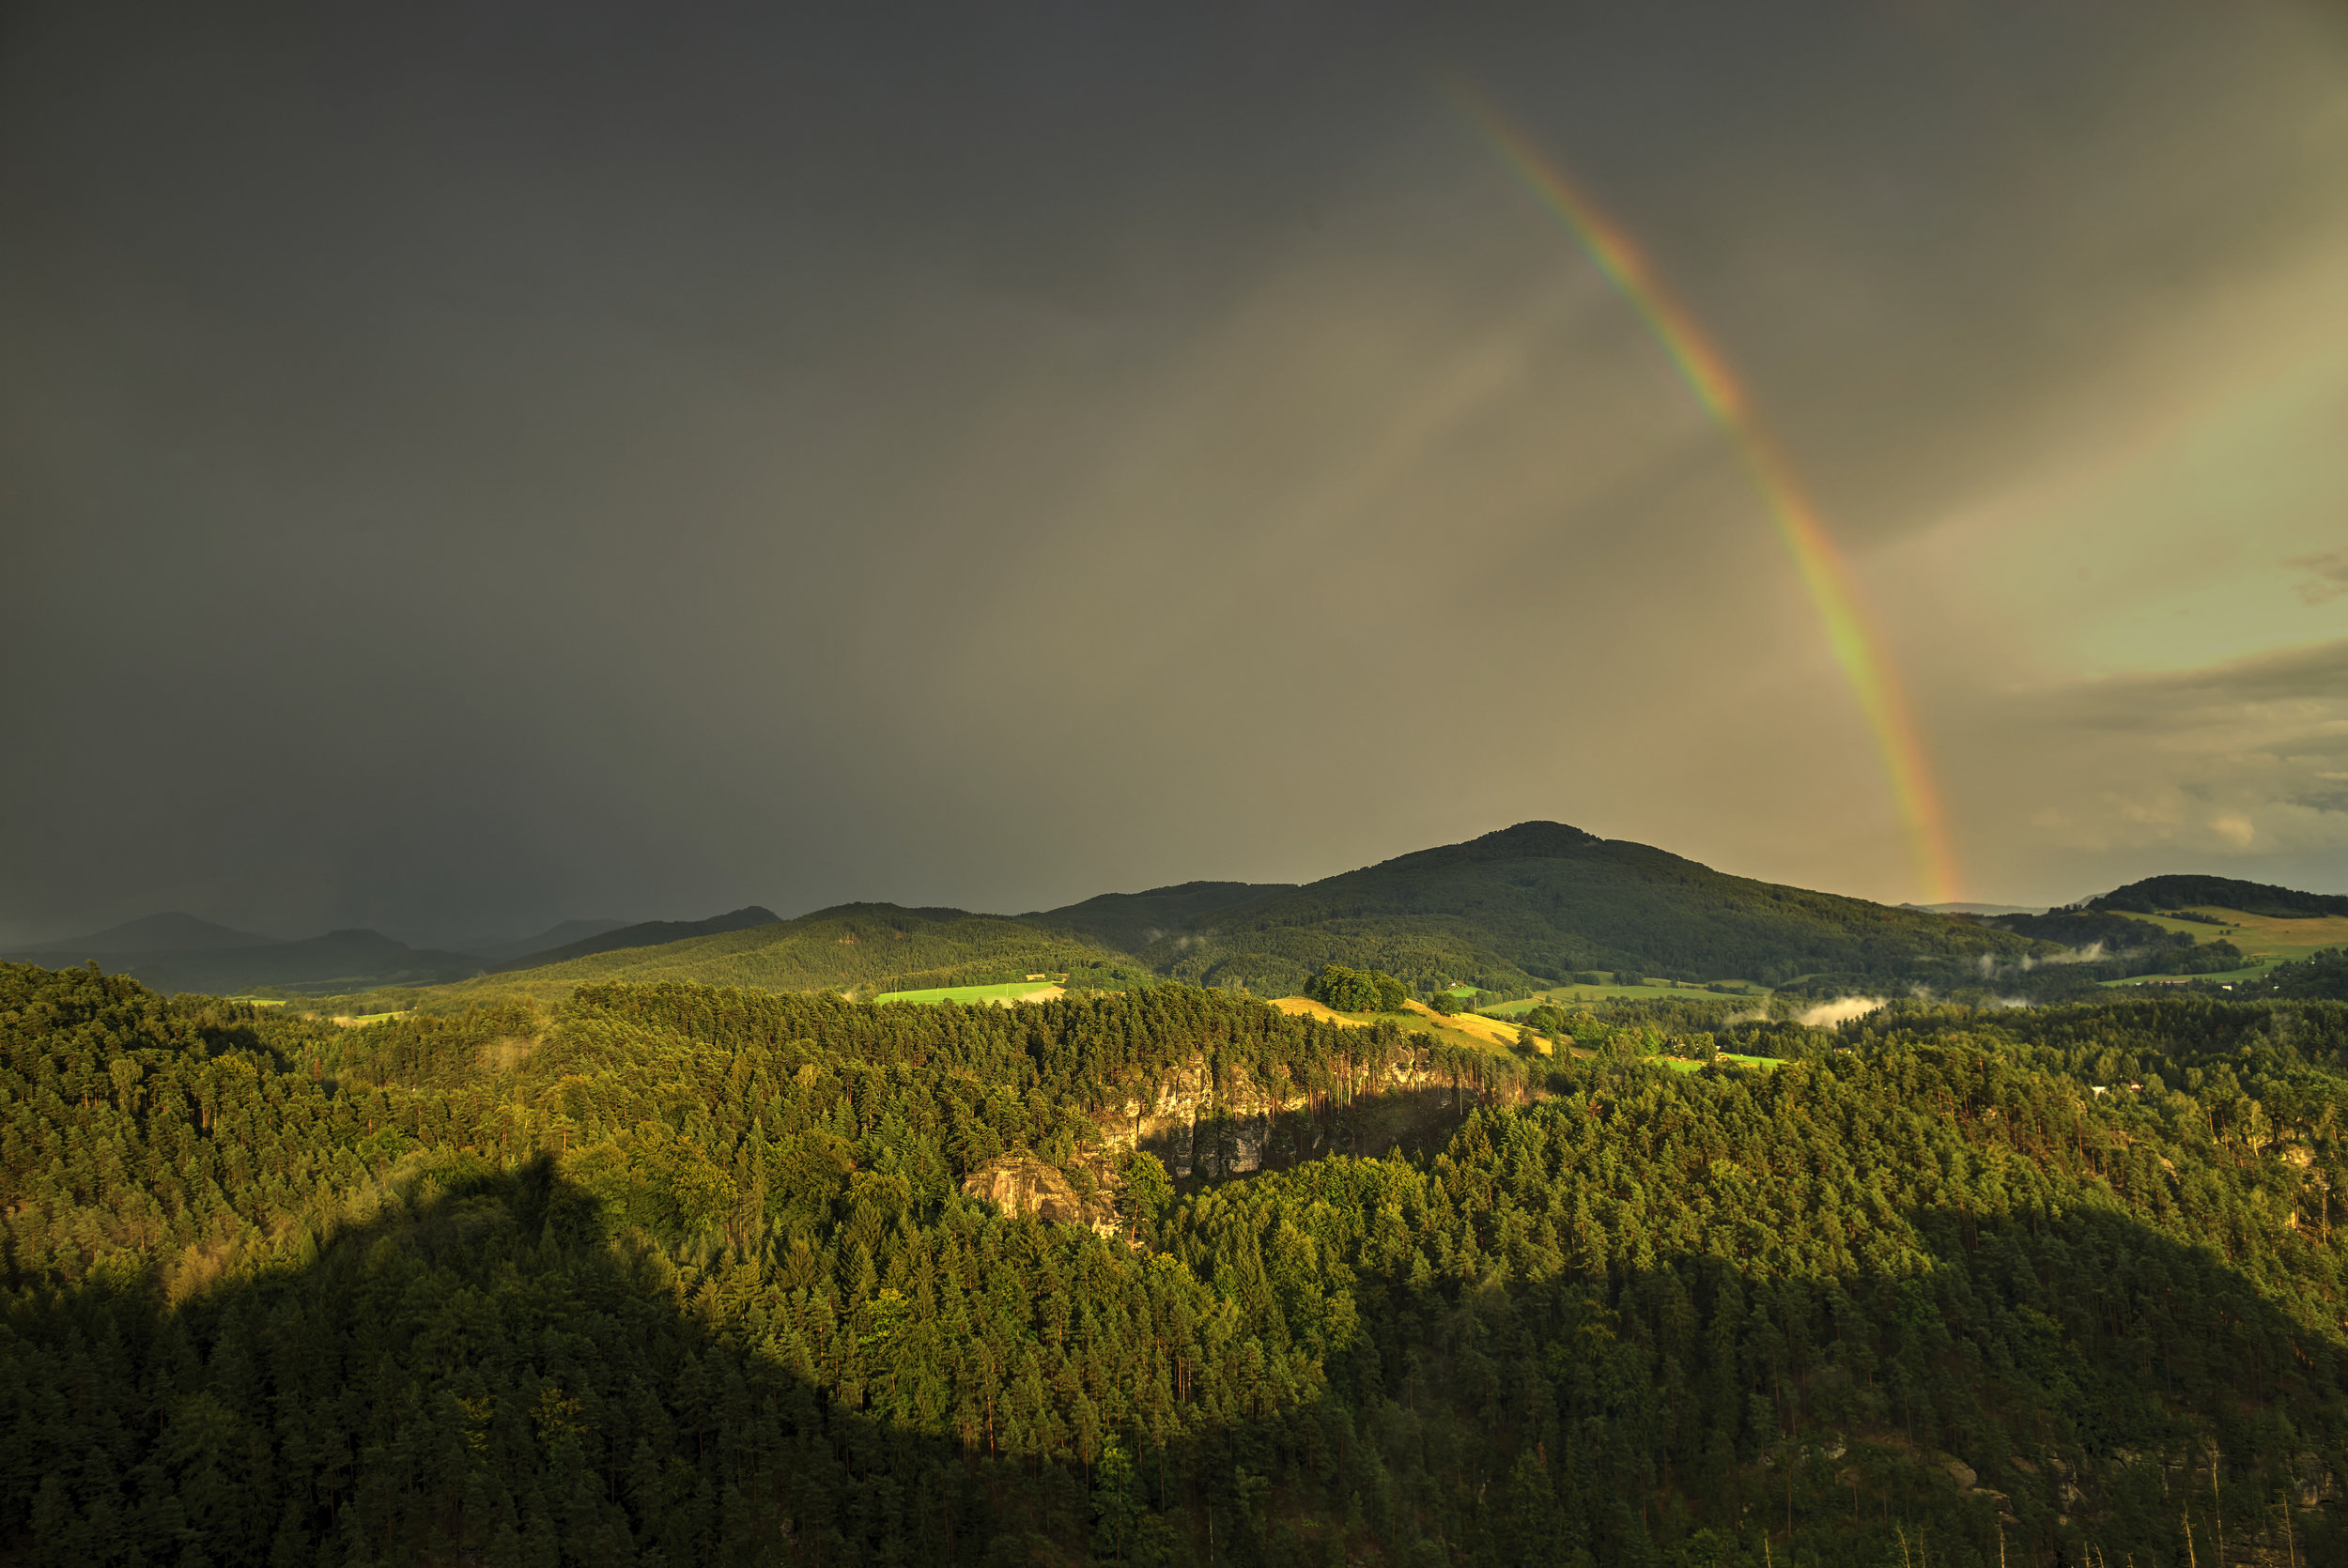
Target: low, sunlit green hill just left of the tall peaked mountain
(865, 947)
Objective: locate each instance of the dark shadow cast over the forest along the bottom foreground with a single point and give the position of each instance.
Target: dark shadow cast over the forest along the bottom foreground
(483, 1374)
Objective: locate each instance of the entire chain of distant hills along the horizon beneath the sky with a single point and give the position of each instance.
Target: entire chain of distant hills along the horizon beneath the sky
(1525, 907)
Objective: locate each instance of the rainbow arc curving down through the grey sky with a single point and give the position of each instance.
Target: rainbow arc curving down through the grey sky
(1856, 644)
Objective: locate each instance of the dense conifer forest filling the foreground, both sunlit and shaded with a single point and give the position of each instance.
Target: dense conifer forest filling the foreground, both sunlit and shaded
(691, 1276)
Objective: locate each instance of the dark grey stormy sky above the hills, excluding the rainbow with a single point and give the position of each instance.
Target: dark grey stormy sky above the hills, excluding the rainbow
(468, 466)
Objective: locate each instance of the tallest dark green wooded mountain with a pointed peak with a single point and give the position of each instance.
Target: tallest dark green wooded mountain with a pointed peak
(1541, 900)
